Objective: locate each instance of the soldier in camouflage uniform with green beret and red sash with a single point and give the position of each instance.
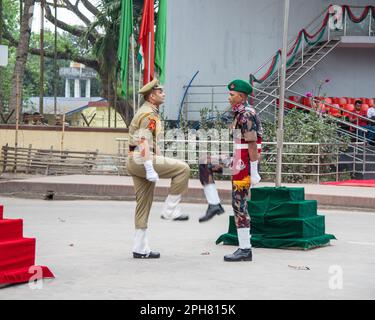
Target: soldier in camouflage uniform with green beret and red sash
(246, 129)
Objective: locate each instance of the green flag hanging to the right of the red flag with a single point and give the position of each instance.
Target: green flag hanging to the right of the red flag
(161, 39)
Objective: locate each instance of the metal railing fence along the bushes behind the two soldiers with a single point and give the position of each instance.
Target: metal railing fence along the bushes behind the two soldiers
(312, 162)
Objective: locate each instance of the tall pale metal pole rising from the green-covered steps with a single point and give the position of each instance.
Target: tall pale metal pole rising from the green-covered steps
(280, 130)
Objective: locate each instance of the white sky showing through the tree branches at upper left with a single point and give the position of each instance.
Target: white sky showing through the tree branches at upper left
(62, 14)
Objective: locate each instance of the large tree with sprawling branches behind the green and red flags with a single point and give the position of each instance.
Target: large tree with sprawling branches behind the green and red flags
(96, 42)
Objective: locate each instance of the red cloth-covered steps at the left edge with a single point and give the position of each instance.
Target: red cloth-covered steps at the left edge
(17, 254)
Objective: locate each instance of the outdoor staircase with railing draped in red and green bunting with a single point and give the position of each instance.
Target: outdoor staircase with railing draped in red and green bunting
(304, 55)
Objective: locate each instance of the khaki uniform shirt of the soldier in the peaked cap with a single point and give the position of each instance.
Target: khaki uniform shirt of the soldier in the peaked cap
(146, 124)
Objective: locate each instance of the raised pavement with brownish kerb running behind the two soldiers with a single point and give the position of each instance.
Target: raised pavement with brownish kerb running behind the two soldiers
(121, 188)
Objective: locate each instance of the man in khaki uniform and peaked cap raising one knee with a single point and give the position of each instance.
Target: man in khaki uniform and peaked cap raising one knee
(146, 165)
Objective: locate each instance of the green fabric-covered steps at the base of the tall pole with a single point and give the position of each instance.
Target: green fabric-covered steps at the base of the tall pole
(281, 218)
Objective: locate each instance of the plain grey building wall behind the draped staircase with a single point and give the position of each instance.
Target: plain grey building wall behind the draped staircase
(231, 39)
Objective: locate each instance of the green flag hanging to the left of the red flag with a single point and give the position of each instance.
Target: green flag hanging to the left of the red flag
(126, 30)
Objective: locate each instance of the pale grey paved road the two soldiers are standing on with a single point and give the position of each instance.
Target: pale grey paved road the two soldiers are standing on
(87, 244)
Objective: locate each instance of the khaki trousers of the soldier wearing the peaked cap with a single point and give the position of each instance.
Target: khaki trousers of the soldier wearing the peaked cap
(167, 168)
